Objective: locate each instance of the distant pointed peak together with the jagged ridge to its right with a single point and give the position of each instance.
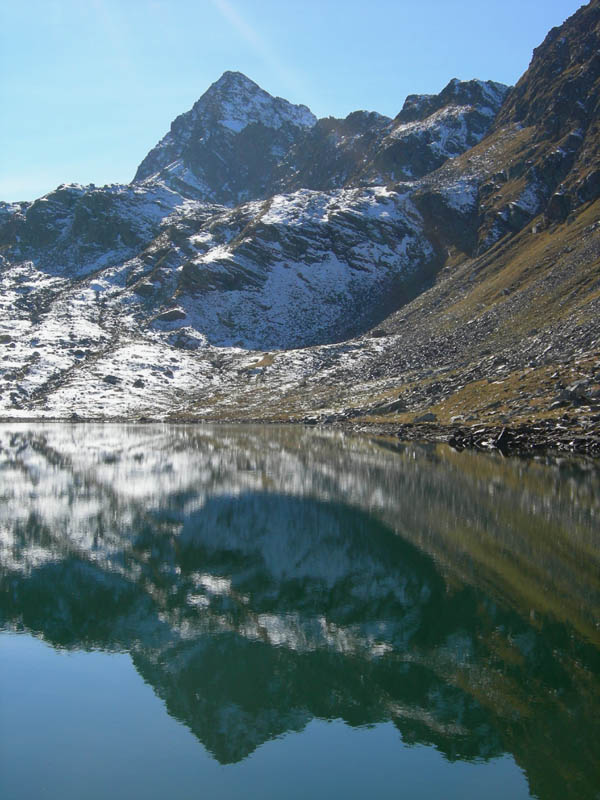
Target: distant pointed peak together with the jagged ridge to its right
(238, 143)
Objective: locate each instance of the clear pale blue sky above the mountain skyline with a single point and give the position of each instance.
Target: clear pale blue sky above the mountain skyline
(87, 87)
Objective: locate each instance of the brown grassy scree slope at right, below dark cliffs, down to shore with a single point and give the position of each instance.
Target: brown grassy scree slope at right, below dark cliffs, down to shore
(492, 340)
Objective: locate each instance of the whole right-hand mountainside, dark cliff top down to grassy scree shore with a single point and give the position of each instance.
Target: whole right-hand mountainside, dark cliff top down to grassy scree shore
(504, 329)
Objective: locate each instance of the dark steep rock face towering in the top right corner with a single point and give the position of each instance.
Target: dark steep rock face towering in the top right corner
(557, 102)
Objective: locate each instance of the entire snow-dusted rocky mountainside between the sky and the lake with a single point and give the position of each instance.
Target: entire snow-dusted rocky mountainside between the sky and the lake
(265, 264)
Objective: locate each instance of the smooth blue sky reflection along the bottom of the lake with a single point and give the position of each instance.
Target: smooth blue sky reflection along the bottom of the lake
(92, 728)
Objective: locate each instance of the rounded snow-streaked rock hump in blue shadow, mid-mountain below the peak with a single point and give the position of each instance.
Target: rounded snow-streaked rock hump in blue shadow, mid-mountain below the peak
(299, 270)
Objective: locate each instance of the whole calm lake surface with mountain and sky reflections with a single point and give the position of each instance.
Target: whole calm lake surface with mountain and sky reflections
(248, 612)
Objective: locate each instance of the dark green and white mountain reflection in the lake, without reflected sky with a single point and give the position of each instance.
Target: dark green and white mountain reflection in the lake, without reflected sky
(264, 577)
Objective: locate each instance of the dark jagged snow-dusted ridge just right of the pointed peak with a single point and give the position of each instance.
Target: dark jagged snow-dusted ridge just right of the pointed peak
(366, 148)
